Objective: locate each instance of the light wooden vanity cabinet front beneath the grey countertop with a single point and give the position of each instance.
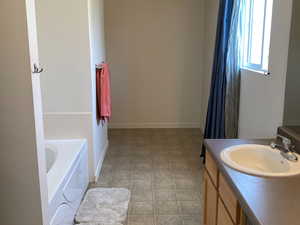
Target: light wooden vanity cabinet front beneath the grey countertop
(221, 206)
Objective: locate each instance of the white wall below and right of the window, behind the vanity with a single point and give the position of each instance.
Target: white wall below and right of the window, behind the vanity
(262, 98)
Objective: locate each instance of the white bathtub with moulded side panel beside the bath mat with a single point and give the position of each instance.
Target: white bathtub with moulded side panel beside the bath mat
(67, 178)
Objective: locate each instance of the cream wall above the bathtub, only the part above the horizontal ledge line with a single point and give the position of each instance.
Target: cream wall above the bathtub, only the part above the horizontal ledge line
(64, 53)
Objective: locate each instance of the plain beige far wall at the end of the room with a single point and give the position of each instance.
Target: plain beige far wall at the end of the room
(155, 49)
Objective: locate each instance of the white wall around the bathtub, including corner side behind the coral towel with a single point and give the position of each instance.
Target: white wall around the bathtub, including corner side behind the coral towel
(71, 42)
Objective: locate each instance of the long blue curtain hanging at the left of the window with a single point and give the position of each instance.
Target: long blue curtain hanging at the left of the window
(224, 93)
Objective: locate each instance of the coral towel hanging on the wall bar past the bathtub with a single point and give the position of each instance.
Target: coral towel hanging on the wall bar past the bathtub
(103, 93)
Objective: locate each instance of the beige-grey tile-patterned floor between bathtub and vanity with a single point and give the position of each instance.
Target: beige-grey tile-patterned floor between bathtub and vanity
(162, 169)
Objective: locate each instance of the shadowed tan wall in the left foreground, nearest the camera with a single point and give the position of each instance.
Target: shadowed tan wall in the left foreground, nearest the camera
(20, 188)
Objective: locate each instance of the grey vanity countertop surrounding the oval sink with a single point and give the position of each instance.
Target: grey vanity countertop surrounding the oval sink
(267, 201)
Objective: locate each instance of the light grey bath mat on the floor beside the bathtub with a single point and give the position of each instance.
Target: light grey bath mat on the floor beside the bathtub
(104, 206)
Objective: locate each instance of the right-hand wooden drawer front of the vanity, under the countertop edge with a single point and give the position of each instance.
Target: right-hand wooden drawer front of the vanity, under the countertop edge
(229, 199)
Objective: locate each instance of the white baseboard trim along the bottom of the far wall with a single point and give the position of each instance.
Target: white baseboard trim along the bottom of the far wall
(156, 125)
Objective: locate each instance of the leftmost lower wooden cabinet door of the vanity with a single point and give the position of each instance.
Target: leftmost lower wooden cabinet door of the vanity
(210, 201)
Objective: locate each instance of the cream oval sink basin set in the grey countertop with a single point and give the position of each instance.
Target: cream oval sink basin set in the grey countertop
(259, 160)
